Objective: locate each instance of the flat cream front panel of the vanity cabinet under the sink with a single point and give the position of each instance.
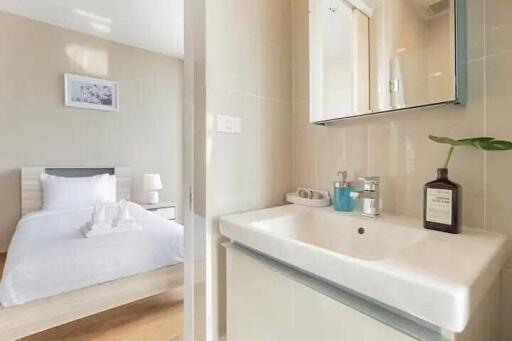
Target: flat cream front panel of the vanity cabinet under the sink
(265, 304)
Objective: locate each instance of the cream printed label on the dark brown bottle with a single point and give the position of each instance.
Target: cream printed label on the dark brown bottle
(439, 206)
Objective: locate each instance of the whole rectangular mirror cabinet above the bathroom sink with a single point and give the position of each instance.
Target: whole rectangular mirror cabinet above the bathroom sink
(374, 56)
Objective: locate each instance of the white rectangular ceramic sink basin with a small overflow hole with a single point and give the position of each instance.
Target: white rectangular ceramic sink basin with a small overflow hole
(434, 276)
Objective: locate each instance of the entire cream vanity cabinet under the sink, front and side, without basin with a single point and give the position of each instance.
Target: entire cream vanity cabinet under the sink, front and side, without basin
(268, 301)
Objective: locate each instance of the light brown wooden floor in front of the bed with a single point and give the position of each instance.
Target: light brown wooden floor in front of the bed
(155, 318)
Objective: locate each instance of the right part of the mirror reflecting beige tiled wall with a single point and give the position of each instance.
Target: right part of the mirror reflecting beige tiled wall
(412, 54)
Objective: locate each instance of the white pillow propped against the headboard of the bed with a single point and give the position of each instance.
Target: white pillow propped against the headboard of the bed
(64, 193)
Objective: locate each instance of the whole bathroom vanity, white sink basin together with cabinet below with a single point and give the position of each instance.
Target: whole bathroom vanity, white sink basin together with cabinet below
(301, 273)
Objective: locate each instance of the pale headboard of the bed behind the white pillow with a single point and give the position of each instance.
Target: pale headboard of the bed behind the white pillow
(31, 193)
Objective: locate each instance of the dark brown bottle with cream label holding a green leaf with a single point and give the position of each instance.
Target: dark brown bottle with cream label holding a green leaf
(441, 204)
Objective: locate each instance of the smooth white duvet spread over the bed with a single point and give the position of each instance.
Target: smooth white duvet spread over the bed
(48, 254)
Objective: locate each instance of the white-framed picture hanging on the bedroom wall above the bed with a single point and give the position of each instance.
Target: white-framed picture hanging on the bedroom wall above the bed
(91, 93)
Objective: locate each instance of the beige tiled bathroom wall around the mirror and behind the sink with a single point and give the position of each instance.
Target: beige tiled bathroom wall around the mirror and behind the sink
(396, 147)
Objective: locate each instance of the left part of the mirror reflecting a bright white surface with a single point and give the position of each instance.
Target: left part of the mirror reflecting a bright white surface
(339, 59)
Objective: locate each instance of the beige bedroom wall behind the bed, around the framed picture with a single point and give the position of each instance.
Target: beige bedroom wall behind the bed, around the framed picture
(37, 129)
